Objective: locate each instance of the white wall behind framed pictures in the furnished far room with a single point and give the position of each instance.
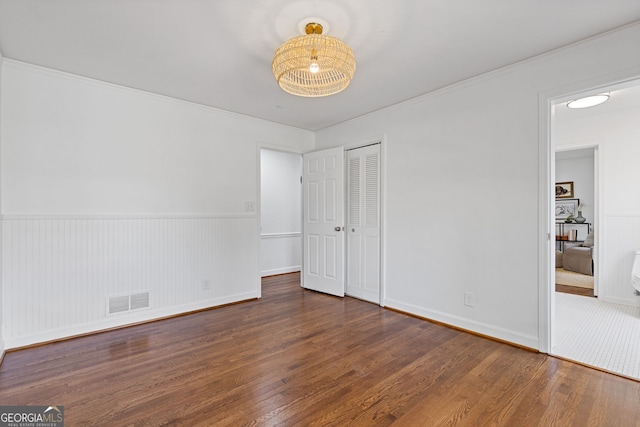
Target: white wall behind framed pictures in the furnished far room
(579, 170)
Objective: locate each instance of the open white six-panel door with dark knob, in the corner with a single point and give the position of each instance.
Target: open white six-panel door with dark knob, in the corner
(323, 221)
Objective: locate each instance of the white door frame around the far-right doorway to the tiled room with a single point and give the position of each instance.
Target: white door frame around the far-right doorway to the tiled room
(546, 173)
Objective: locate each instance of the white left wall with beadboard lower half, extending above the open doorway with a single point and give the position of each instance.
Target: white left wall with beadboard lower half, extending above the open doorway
(107, 190)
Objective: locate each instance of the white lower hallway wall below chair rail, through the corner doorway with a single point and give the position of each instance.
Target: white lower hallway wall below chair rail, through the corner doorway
(281, 253)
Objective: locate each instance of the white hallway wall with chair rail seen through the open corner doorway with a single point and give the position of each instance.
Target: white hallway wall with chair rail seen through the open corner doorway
(280, 212)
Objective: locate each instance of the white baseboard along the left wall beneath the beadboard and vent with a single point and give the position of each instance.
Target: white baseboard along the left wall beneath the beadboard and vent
(125, 319)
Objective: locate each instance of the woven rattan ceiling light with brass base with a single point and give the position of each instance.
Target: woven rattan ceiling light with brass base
(313, 64)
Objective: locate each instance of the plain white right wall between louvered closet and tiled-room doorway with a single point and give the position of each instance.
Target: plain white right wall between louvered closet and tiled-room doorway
(462, 179)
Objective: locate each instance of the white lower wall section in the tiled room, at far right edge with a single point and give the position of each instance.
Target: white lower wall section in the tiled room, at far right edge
(622, 240)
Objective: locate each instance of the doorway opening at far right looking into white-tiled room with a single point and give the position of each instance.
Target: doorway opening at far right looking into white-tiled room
(600, 331)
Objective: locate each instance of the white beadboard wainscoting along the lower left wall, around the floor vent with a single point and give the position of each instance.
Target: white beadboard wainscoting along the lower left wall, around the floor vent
(59, 273)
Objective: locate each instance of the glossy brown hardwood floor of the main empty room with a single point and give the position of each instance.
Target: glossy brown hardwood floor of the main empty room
(300, 358)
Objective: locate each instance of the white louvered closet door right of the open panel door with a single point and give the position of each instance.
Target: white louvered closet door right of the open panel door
(363, 223)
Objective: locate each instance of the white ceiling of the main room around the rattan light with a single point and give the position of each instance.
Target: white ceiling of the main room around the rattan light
(218, 52)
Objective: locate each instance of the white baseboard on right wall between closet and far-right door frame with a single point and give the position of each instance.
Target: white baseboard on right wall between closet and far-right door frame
(502, 334)
